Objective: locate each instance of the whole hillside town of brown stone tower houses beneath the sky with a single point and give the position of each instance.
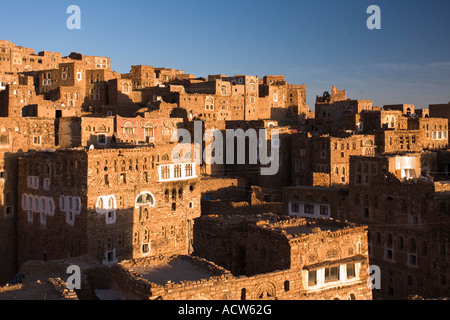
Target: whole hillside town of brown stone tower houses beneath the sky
(92, 174)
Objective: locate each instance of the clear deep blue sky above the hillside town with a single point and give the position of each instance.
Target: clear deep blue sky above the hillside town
(320, 43)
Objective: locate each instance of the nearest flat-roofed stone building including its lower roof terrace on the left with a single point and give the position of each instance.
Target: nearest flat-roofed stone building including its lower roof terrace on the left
(256, 258)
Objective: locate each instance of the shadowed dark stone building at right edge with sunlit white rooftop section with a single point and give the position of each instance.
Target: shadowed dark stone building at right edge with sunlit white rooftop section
(407, 216)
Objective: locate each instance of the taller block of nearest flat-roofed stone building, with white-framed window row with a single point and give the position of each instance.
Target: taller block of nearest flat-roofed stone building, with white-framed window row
(289, 258)
